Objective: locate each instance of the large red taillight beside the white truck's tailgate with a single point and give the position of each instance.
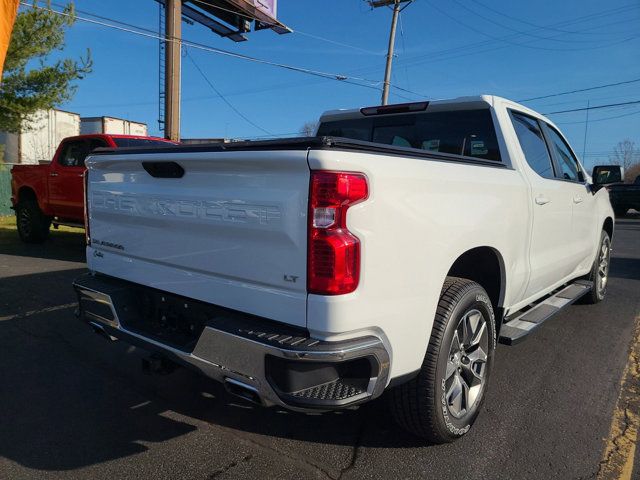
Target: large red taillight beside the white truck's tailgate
(334, 252)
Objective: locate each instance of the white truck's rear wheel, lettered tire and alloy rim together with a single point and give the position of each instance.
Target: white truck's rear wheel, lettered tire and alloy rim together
(441, 403)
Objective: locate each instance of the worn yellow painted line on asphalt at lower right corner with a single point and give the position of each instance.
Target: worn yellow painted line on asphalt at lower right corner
(619, 455)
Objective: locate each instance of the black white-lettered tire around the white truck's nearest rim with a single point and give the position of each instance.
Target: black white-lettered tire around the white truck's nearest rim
(421, 406)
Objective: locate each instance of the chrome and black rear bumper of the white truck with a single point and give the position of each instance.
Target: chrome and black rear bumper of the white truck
(260, 360)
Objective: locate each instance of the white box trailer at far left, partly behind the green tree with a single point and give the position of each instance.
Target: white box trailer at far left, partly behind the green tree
(41, 136)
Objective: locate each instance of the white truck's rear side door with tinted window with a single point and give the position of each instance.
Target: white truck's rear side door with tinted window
(550, 256)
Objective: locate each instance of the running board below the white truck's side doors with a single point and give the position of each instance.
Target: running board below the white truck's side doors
(518, 326)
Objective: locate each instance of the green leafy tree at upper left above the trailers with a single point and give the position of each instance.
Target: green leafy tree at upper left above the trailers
(30, 82)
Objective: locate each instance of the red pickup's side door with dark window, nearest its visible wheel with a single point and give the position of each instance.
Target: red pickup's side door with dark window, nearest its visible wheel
(65, 180)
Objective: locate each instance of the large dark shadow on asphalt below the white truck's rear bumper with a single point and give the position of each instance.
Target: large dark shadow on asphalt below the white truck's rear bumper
(72, 399)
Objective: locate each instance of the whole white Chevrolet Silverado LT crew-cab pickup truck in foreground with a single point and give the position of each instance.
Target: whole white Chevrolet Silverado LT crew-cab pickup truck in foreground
(392, 251)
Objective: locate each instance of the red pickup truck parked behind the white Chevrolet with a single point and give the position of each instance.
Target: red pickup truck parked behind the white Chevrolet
(54, 192)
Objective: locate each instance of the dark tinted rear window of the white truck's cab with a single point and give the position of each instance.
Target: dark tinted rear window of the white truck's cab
(463, 132)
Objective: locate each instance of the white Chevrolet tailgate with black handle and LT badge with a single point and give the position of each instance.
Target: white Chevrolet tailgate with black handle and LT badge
(231, 231)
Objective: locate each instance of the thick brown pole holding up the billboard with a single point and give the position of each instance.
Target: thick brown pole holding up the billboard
(173, 42)
